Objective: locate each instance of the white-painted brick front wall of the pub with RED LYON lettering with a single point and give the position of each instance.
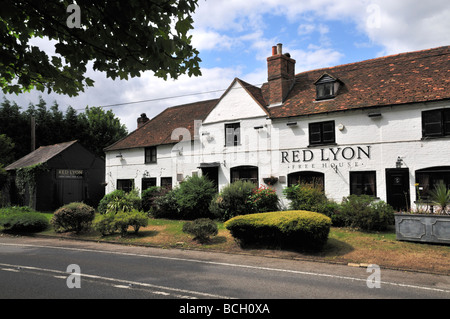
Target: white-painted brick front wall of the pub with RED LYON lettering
(398, 132)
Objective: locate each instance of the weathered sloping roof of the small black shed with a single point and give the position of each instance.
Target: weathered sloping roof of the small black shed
(41, 155)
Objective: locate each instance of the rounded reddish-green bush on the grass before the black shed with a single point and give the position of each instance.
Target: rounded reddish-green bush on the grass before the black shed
(73, 217)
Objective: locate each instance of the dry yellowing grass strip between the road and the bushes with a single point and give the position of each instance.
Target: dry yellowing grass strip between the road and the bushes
(344, 246)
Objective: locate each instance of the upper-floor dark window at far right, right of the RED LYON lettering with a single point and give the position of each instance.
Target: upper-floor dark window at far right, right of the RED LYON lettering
(436, 123)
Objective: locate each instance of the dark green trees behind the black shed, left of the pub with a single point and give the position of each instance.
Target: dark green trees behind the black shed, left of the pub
(95, 128)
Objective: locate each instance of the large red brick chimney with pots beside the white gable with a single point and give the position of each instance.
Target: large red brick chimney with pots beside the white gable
(281, 75)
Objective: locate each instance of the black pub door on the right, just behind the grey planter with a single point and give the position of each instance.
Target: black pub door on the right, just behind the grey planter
(397, 185)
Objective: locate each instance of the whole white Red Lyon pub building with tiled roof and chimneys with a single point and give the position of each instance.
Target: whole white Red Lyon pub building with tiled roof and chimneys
(379, 127)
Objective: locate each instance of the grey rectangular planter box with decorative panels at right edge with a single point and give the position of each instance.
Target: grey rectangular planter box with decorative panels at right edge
(423, 228)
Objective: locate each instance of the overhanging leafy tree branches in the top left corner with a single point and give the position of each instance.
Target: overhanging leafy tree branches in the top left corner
(121, 38)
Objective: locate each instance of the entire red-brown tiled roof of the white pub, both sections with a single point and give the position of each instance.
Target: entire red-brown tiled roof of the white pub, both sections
(419, 76)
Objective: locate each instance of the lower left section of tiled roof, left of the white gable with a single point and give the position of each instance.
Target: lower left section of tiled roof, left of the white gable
(158, 130)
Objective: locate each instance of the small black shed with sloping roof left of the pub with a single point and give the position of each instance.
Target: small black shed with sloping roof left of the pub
(55, 175)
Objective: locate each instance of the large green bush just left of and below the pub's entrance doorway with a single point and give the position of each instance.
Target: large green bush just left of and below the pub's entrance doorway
(189, 200)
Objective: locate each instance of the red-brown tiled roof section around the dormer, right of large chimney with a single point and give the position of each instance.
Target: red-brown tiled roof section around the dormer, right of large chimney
(419, 76)
